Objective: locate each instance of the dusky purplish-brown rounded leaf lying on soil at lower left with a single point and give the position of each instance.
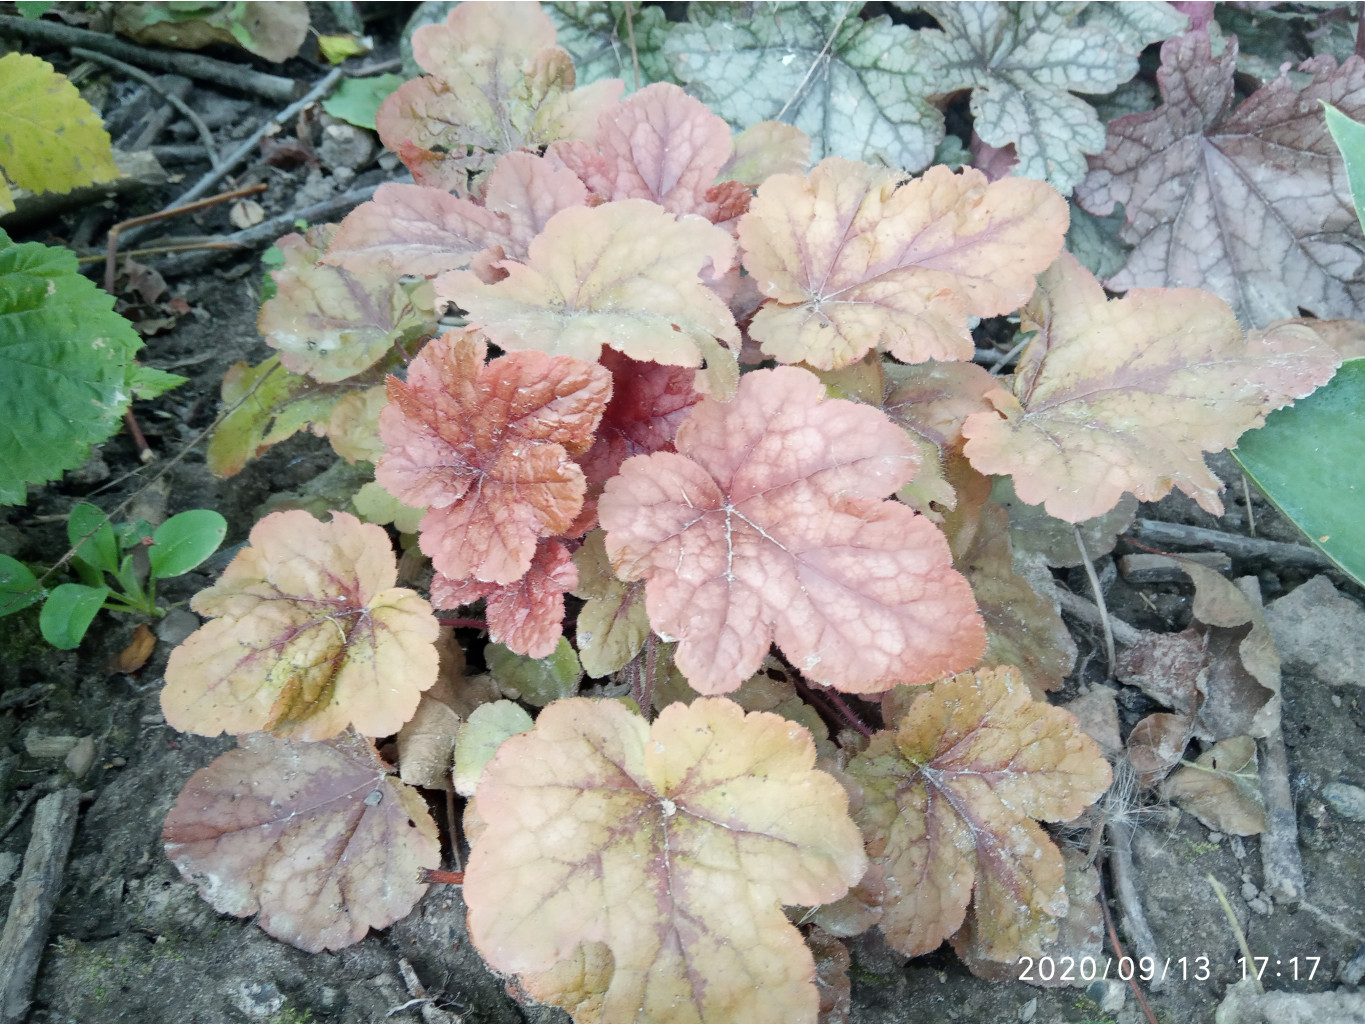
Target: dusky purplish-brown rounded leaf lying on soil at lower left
(315, 839)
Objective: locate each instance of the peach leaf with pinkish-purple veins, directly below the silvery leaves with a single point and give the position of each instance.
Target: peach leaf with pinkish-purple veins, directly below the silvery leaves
(855, 257)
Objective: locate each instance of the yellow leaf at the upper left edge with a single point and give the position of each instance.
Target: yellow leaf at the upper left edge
(51, 140)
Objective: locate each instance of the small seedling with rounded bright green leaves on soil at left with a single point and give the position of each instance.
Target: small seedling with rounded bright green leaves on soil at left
(134, 555)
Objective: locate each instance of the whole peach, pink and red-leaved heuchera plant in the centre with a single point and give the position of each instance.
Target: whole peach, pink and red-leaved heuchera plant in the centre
(725, 402)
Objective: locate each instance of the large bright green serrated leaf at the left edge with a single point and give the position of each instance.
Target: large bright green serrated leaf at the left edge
(66, 365)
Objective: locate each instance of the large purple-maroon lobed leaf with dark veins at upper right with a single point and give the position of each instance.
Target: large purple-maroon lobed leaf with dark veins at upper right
(1254, 203)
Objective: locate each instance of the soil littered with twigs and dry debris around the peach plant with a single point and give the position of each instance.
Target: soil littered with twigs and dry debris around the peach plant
(133, 941)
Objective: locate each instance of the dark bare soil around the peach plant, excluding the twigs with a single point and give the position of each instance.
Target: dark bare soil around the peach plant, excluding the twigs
(134, 943)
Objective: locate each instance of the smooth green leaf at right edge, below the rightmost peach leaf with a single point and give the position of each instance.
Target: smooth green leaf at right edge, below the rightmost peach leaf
(1311, 462)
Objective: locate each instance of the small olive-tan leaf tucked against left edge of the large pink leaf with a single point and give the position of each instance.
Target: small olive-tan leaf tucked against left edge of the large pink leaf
(612, 625)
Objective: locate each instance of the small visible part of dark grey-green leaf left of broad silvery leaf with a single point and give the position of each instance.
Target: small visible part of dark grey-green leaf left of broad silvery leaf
(599, 38)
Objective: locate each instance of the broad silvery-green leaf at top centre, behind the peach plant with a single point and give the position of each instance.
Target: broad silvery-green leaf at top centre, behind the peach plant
(852, 85)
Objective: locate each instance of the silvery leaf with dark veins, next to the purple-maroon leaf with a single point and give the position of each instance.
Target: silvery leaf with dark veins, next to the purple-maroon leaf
(1024, 62)
